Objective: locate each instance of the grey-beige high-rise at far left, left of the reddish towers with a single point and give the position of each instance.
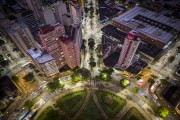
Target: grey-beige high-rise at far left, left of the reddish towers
(22, 37)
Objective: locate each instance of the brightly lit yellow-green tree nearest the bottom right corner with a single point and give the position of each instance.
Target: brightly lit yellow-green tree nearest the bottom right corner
(162, 111)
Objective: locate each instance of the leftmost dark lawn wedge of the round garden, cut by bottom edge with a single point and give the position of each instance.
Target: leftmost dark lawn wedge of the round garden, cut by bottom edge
(50, 114)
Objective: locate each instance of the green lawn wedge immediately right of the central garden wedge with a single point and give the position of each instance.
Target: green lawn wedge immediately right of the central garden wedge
(113, 107)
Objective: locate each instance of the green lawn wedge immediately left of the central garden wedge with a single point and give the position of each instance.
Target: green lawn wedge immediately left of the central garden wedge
(71, 102)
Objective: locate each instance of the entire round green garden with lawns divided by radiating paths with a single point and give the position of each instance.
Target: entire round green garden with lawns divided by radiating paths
(87, 105)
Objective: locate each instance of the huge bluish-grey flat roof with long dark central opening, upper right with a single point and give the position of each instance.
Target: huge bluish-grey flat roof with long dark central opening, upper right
(150, 23)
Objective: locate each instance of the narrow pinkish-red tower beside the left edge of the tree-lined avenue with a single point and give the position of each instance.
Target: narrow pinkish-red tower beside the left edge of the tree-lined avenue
(70, 52)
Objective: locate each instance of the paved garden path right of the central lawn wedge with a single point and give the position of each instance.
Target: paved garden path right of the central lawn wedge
(99, 106)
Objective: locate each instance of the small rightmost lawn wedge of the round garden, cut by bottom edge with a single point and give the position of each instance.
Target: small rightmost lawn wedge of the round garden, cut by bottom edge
(133, 114)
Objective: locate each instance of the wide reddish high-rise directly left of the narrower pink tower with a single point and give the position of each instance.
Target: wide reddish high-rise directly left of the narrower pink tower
(50, 38)
